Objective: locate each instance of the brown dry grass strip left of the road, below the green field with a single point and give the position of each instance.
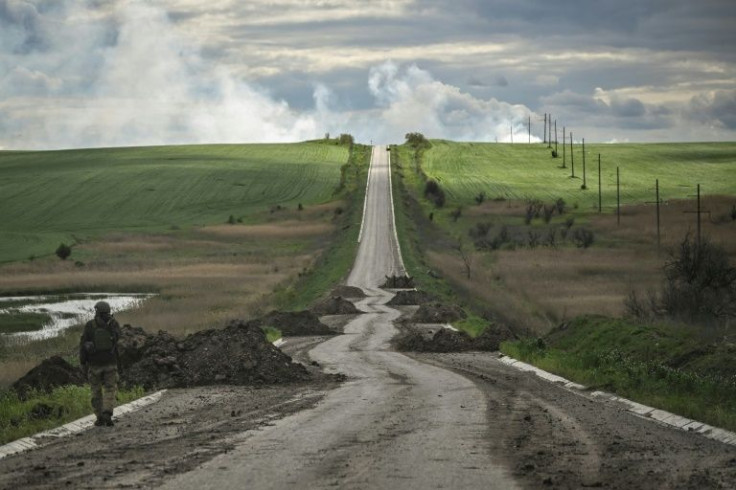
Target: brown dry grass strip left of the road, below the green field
(204, 277)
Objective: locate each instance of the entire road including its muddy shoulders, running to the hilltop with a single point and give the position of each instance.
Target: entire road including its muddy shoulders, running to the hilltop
(420, 421)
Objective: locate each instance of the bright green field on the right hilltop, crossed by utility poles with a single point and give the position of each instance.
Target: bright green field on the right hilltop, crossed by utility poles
(529, 172)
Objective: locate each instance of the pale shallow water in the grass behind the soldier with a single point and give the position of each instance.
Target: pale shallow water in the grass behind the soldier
(67, 310)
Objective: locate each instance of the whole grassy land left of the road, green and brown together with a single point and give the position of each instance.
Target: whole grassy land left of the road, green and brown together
(205, 271)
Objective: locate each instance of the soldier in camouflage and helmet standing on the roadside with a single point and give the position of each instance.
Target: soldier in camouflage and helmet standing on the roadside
(98, 355)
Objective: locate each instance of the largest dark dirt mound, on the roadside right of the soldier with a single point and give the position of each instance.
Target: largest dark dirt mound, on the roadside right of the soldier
(238, 354)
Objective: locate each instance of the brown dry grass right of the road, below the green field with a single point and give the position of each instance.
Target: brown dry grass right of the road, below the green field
(536, 289)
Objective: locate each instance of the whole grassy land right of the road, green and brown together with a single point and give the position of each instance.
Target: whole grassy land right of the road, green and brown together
(568, 302)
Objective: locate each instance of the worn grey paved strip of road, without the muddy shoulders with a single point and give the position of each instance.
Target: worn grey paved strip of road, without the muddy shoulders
(398, 423)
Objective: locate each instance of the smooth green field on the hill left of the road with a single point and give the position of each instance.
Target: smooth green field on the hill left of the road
(63, 196)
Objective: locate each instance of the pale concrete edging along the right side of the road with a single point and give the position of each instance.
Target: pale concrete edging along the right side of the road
(661, 416)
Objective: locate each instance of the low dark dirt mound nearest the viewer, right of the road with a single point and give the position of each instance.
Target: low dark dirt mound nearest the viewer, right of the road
(447, 340)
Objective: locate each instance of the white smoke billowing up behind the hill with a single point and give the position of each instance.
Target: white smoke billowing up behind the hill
(93, 74)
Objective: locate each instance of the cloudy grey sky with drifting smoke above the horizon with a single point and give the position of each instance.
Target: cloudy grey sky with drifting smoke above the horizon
(99, 73)
